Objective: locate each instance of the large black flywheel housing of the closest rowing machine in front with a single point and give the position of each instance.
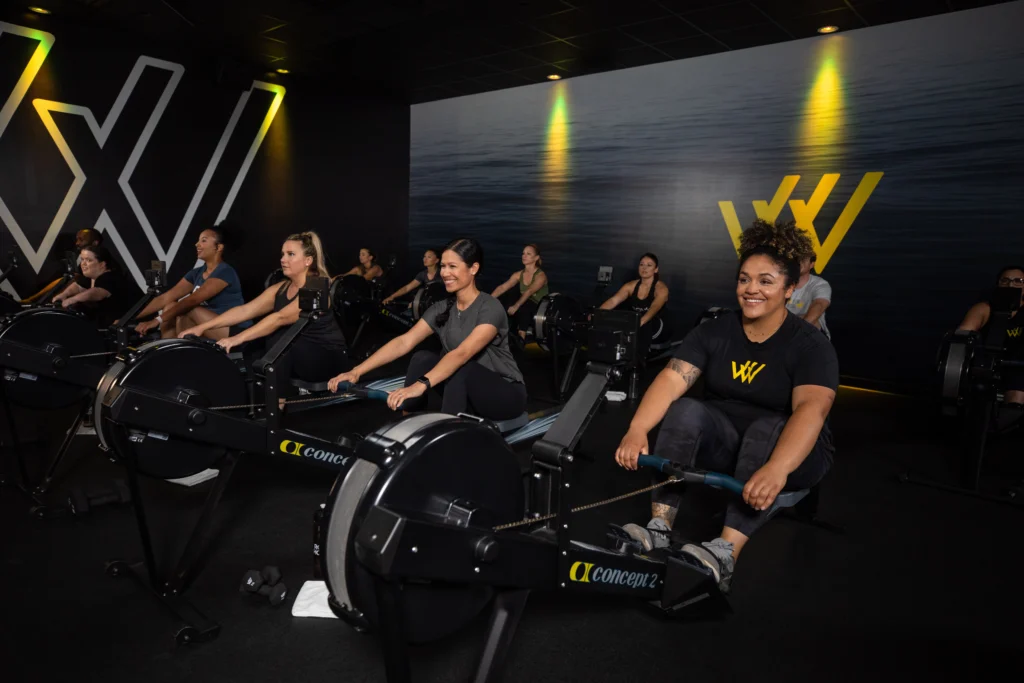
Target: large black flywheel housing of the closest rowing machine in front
(435, 467)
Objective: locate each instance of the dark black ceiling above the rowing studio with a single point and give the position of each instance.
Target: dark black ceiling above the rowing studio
(434, 50)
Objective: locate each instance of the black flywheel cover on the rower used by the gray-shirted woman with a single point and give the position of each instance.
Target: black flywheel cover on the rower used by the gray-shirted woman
(180, 369)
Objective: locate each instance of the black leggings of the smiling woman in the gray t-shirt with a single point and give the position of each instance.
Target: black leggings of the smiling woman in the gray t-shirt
(473, 390)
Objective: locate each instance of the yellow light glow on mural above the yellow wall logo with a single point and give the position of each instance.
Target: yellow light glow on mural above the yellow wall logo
(822, 126)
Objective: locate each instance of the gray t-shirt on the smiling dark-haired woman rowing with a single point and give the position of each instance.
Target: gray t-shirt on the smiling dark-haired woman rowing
(486, 310)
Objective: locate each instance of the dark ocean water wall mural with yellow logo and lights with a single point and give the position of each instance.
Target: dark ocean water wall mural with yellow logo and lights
(899, 147)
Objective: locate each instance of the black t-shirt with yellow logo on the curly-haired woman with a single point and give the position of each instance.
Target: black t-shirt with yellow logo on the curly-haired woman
(748, 380)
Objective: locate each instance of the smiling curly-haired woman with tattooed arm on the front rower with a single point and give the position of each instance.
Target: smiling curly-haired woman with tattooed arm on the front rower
(771, 379)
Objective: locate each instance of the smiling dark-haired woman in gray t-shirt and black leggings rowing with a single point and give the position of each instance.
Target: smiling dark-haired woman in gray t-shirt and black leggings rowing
(476, 373)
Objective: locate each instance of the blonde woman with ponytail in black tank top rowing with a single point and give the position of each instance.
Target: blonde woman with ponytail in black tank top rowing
(320, 353)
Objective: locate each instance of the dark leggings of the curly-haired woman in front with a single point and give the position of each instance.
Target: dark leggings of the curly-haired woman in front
(700, 435)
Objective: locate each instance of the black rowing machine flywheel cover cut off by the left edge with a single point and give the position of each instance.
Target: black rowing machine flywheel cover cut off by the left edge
(41, 327)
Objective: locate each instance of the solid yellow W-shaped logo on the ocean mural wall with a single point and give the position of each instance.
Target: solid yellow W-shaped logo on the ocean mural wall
(805, 212)
